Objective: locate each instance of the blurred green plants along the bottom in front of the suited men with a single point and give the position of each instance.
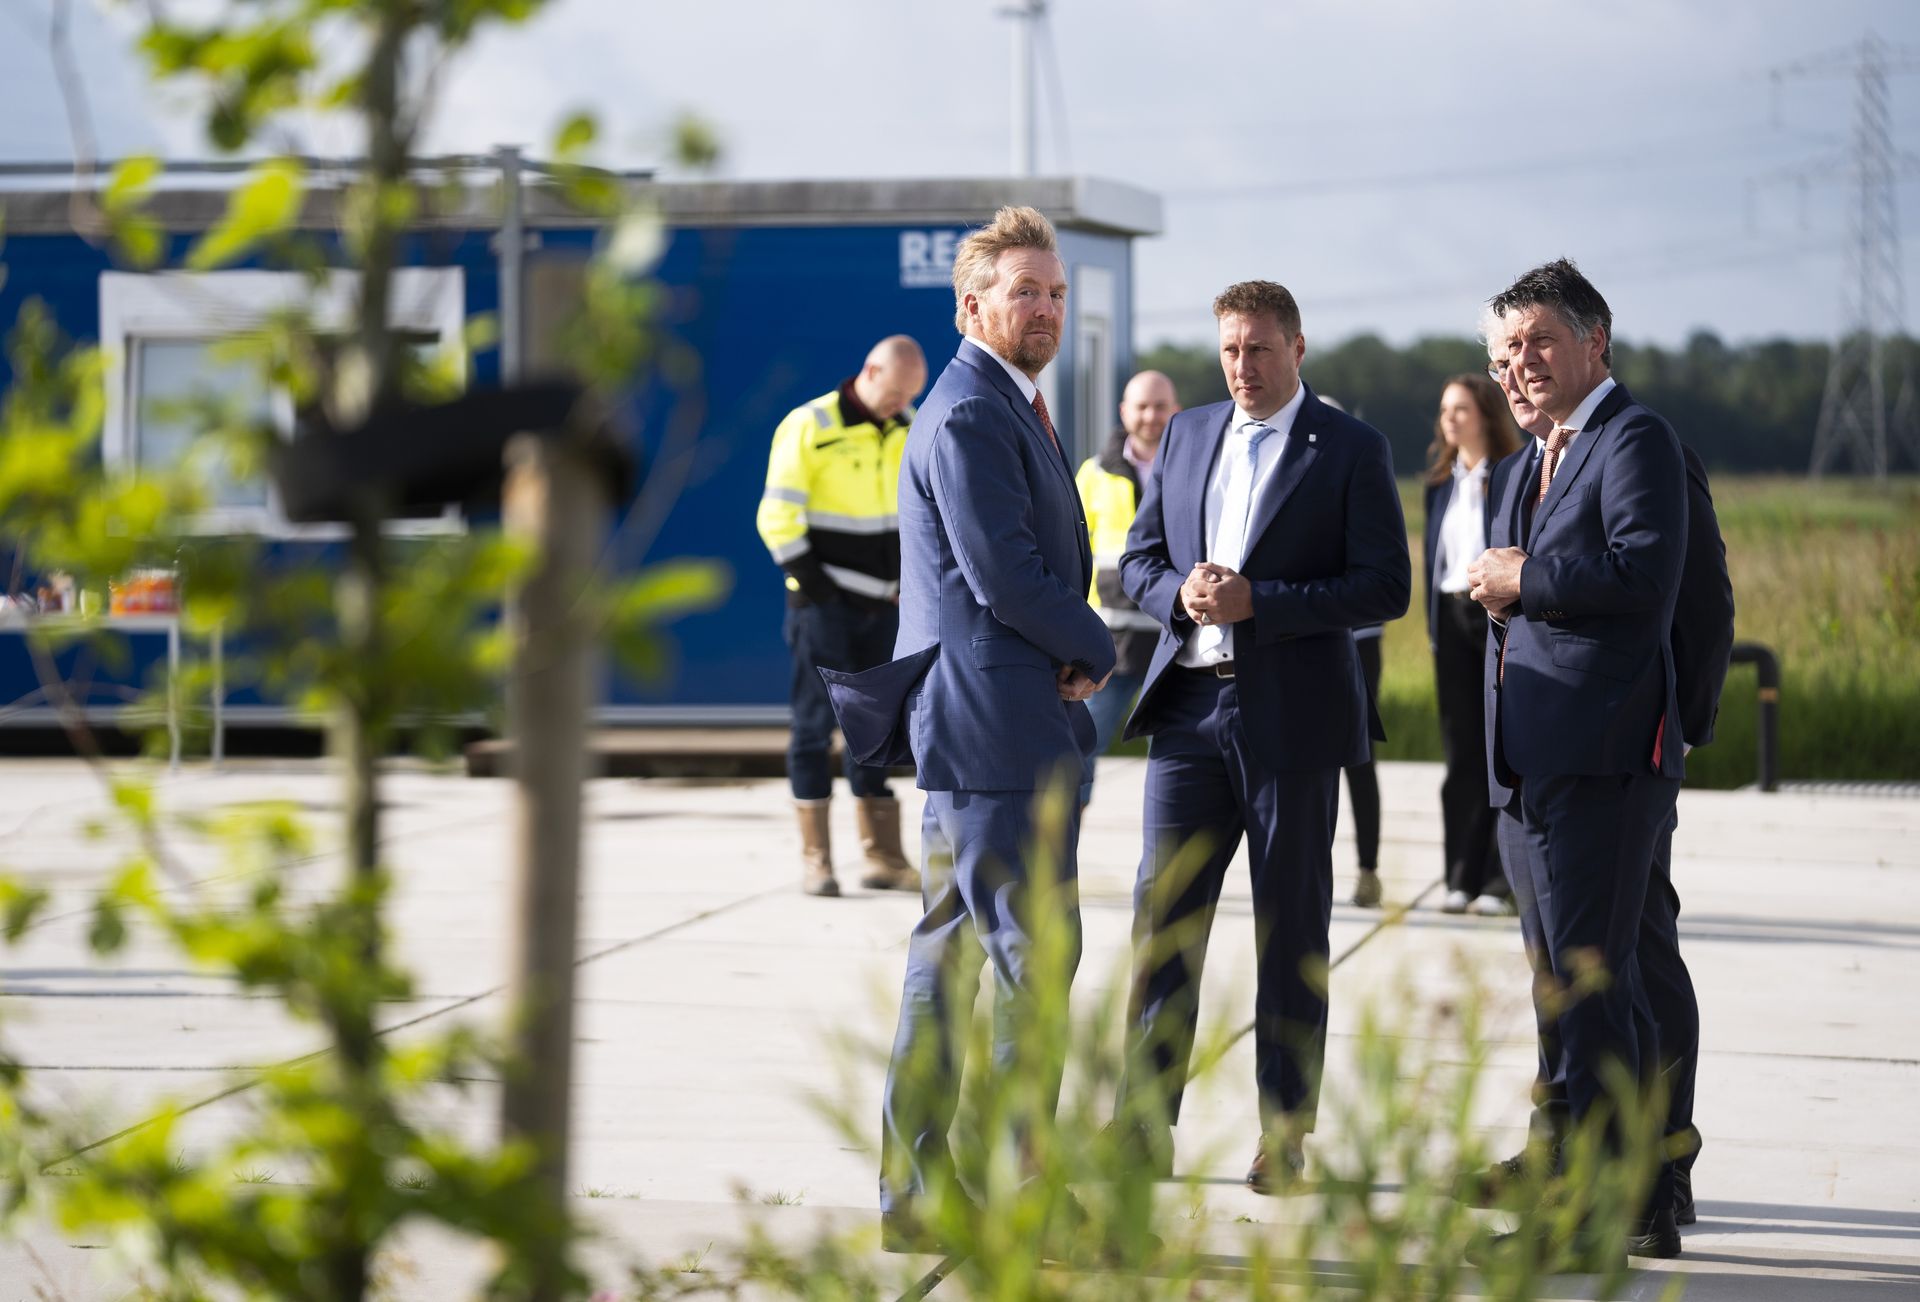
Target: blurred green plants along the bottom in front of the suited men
(1049, 1207)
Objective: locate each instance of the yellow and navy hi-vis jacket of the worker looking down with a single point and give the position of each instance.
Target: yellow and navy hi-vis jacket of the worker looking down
(832, 494)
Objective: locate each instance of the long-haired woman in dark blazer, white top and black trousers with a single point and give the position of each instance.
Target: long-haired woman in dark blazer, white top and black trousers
(1472, 433)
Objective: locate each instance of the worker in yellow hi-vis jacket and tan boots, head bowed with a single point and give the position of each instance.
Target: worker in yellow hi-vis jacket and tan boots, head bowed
(830, 518)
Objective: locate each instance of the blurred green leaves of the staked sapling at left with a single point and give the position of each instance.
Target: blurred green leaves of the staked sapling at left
(383, 635)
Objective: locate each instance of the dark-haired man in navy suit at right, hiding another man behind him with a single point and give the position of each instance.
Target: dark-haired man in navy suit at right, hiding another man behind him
(1585, 735)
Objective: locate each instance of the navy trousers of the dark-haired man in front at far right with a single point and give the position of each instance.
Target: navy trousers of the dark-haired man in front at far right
(1581, 852)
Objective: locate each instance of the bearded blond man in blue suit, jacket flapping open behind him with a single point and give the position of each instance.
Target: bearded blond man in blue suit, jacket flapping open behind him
(996, 660)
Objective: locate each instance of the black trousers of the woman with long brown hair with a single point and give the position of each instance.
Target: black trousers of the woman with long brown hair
(1470, 829)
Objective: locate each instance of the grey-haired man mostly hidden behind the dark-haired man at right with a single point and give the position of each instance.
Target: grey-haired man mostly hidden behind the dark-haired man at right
(1702, 644)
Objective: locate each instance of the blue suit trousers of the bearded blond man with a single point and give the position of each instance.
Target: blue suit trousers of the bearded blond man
(982, 896)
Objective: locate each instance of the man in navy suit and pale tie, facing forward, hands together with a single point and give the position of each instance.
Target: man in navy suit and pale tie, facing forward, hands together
(1268, 531)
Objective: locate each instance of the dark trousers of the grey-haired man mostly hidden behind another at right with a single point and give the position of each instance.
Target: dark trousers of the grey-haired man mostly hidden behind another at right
(1671, 1003)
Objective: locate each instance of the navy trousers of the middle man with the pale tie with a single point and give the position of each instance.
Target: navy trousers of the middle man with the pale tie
(1207, 792)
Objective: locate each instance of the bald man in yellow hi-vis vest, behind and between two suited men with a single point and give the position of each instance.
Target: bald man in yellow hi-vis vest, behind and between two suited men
(1111, 491)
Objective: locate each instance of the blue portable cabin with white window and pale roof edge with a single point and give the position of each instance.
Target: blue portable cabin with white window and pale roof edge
(777, 289)
